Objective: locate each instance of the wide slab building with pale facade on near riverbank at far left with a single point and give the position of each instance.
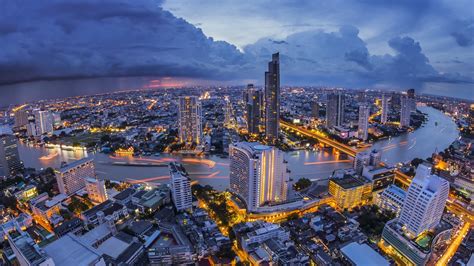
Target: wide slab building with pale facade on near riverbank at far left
(71, 177)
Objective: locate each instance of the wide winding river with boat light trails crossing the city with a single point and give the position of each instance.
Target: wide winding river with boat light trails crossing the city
(214, 170)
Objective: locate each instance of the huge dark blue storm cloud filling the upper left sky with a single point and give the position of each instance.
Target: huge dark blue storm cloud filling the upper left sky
(57, 39)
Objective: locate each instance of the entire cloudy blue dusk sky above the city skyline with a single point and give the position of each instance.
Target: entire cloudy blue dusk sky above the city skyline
(426, 45)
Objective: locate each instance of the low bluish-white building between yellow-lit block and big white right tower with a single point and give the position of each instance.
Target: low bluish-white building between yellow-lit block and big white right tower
(391, 199)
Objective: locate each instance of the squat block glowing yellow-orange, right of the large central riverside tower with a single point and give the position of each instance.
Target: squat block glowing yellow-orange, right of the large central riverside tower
(349, 191)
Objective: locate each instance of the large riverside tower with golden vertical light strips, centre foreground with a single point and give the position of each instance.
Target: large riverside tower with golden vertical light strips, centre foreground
(258, 174)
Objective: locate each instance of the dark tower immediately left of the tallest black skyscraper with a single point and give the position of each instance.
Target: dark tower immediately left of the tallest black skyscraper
(253, 101)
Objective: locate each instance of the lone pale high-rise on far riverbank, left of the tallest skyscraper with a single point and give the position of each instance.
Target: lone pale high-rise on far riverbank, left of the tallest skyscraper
(190, 120)
